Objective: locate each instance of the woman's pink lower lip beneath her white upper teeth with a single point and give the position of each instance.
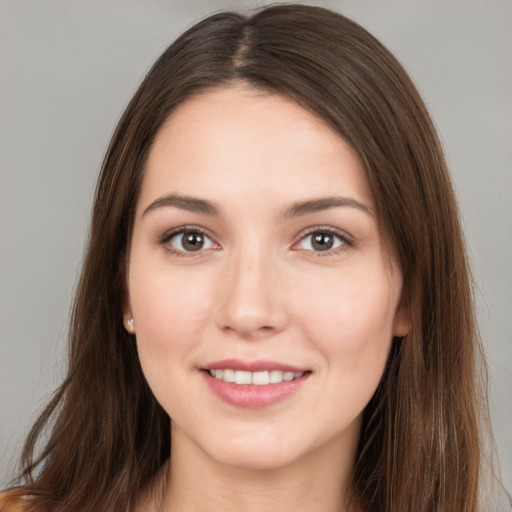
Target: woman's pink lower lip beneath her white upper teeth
(252, 396)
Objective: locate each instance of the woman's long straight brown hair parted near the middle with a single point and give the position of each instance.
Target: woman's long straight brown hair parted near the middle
(420, 445)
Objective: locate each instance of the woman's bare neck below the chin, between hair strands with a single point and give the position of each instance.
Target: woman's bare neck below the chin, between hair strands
(320, 480)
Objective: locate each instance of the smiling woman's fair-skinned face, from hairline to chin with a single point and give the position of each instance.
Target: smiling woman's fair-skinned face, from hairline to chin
(264, 303)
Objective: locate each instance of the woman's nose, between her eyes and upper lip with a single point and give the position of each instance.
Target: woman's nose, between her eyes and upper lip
(251, 296)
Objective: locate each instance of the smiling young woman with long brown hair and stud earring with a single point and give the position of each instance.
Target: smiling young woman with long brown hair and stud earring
(275, 263)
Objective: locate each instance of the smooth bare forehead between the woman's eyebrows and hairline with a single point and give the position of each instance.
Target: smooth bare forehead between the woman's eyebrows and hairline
(231, 141)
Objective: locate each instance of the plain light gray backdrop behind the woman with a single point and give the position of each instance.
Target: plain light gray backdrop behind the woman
(67, 70)
